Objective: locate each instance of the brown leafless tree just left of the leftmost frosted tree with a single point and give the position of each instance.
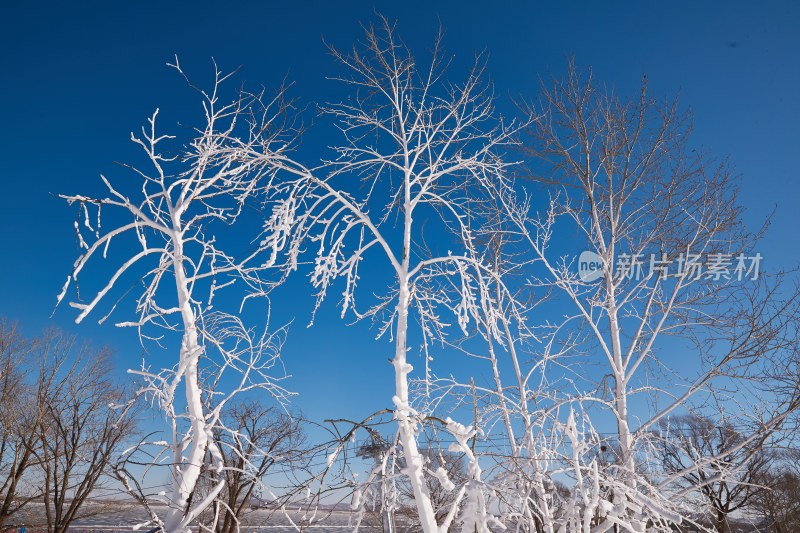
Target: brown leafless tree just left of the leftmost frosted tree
(87, 422)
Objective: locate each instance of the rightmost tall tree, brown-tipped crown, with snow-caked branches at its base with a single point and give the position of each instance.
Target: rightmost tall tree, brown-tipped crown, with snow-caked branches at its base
(685, 327)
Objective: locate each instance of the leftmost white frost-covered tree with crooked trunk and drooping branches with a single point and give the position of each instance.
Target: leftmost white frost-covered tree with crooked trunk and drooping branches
(177, 253)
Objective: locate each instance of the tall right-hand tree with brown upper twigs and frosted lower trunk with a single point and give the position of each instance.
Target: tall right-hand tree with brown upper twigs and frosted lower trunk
(666, 298)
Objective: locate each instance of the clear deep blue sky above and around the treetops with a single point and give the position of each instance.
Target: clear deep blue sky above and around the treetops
(78, 77)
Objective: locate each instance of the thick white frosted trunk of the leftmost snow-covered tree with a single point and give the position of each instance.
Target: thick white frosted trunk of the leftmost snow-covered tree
(186, 474)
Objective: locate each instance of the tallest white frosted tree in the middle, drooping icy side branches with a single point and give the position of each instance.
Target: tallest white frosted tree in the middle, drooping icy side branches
(426, 153)
